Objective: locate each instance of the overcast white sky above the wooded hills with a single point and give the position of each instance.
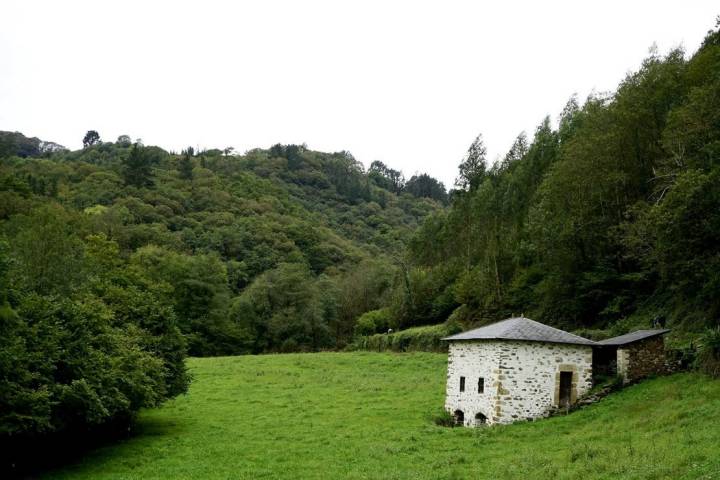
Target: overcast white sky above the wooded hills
(408, 83)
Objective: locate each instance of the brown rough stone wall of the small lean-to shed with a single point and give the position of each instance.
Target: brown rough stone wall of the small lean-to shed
(640, 359)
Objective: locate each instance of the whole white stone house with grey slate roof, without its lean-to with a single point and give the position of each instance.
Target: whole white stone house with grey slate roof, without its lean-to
(516, 369)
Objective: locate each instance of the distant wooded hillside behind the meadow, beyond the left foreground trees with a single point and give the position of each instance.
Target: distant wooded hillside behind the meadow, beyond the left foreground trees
(196, 233)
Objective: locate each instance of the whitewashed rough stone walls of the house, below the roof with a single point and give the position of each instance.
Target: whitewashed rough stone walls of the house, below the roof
(521, 378)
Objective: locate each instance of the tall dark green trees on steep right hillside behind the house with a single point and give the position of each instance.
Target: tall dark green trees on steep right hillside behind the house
(609, 221)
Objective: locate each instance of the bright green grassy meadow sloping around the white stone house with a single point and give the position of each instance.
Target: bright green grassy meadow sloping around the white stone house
(367, 415)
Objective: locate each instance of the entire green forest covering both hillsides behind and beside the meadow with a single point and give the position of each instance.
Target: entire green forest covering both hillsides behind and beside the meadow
(118, 259)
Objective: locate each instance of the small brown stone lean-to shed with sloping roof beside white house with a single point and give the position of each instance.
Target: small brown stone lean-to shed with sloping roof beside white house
(632, 356)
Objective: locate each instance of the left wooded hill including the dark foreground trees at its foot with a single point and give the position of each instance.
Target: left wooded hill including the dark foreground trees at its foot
(118, 259)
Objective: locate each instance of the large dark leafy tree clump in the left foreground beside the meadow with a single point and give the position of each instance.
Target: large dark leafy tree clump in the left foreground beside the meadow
(84, 344)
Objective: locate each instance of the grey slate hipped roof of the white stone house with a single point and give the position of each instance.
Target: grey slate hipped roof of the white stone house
(521, 329)
